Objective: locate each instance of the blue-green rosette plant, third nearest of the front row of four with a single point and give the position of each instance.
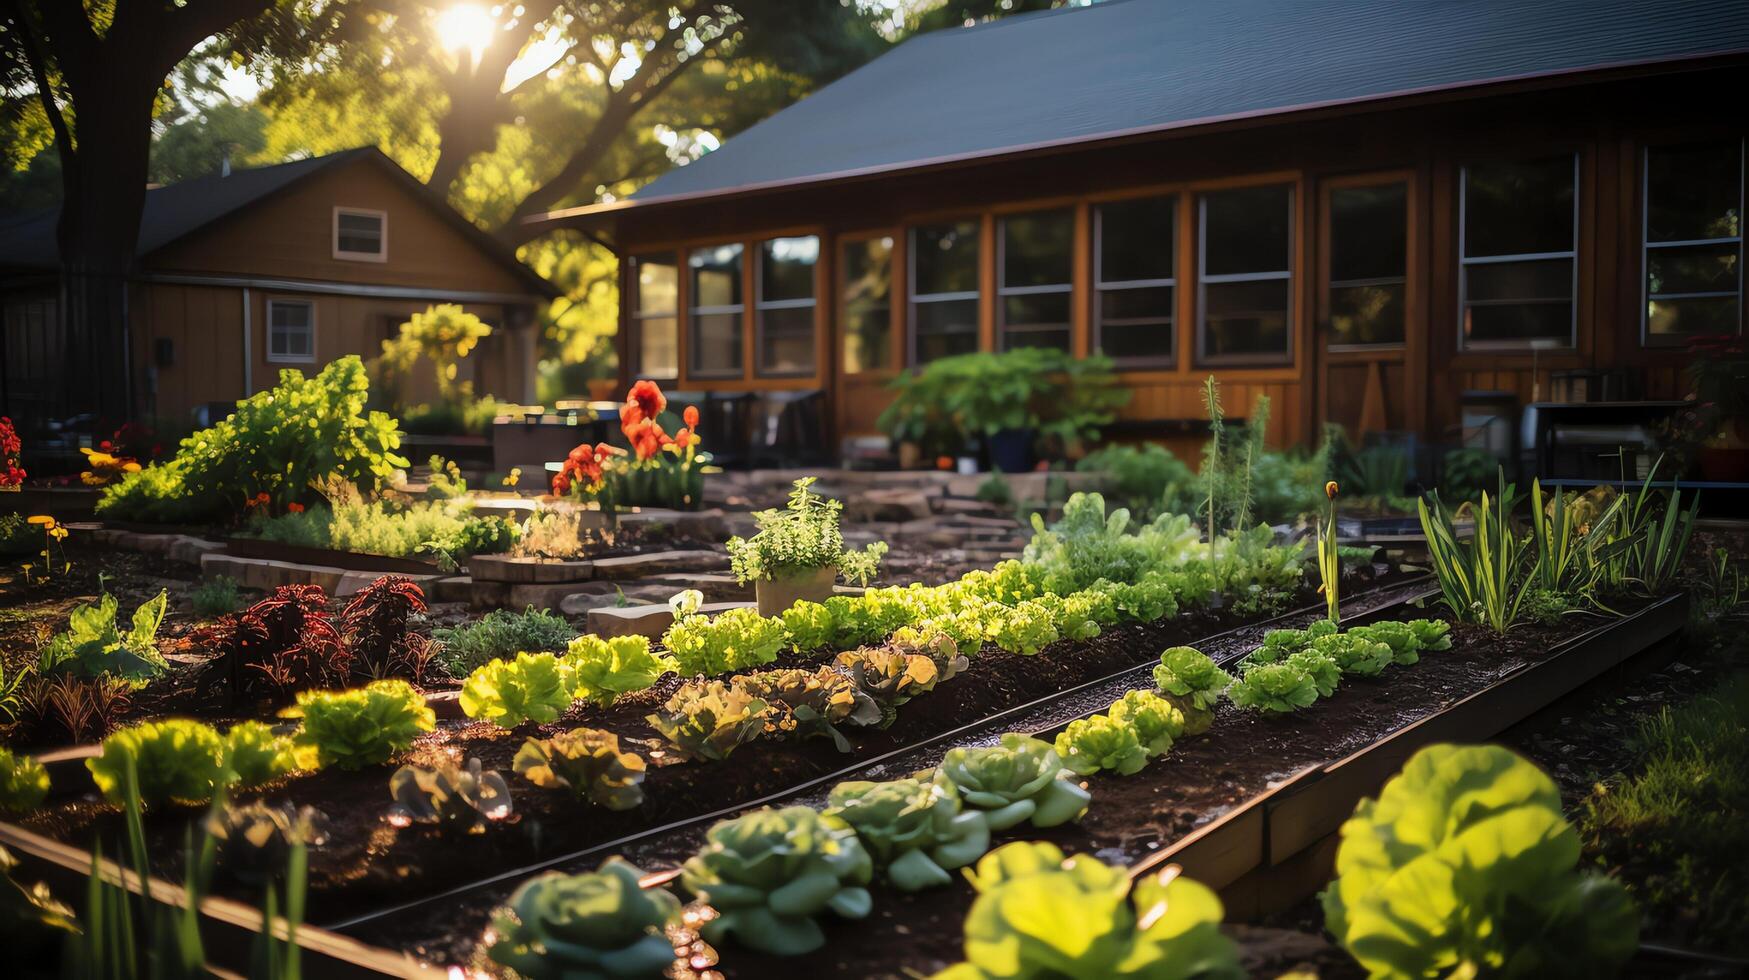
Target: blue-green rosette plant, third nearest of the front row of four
(916, 829)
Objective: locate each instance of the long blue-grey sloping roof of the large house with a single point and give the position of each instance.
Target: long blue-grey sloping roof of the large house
(1138, 66)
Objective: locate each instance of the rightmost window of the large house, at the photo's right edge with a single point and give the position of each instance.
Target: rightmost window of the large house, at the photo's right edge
(1694, 241)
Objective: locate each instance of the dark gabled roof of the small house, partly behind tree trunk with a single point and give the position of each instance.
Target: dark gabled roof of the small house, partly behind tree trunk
(178, 211)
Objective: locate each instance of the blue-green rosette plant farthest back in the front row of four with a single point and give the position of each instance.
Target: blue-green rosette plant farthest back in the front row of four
(1019, 780)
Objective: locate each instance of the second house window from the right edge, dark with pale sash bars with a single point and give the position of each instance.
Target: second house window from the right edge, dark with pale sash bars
(1519, 253)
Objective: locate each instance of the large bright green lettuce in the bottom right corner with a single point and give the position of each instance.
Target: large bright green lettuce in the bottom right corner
(1465, 865)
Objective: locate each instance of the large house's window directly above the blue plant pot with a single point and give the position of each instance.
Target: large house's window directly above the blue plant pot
(1036, 290)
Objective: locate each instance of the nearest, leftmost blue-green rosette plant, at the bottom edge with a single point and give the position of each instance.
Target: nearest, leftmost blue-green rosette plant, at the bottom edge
(585, 927)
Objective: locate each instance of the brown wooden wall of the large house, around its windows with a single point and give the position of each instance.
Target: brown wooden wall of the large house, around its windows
(1414, 388)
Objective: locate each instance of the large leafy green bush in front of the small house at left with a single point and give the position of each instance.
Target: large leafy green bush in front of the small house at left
(281, 442)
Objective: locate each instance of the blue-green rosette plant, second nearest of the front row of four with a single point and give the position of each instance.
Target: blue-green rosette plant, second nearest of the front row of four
(770, 872)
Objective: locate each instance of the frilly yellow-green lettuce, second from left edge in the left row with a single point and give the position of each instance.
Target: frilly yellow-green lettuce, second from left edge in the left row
(176, 760)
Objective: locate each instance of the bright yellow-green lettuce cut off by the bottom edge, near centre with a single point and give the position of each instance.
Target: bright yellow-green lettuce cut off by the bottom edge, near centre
(1040, 914)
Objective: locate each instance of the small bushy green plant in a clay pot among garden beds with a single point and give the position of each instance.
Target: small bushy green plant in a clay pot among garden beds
(800, 554)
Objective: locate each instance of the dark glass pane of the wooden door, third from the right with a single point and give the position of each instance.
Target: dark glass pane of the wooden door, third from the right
(1369, 265)
